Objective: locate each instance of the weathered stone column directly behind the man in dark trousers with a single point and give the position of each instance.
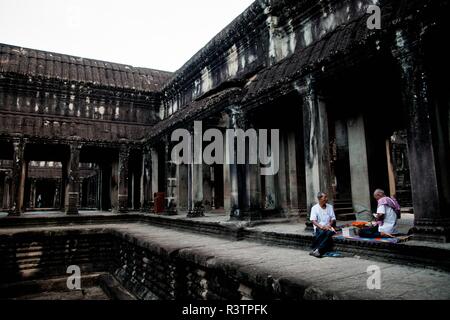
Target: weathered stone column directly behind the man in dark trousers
(316, 145)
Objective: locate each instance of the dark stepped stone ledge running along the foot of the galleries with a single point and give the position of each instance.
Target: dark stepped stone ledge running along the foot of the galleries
(423, 255)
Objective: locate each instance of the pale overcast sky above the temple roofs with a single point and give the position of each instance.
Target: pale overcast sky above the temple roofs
(161, 34)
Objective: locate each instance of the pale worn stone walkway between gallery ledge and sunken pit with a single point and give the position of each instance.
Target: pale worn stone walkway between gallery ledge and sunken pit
(344, 277)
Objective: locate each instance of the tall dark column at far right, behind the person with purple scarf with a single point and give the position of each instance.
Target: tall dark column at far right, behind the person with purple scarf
(428, 152)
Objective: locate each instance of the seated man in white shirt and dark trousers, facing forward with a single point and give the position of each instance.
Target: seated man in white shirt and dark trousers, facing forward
(323, 219)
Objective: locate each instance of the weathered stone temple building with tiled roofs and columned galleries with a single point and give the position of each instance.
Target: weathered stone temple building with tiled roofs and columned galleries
(358, 108)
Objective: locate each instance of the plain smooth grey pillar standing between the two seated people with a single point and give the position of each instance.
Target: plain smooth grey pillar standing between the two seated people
(359, 170)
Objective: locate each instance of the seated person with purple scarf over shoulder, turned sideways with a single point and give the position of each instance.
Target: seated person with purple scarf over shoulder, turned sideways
(386, 217)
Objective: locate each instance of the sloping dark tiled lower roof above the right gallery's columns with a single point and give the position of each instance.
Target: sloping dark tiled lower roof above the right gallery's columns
(337, 43)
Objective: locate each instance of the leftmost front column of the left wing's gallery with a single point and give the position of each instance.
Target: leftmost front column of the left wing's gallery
(17, 178)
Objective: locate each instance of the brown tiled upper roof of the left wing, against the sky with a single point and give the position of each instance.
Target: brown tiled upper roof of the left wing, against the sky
(36, 63)
